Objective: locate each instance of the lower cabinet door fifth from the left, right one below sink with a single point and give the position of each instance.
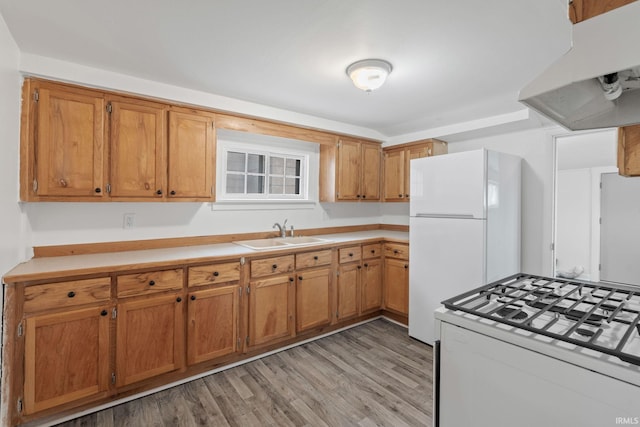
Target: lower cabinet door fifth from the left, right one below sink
(313, 302)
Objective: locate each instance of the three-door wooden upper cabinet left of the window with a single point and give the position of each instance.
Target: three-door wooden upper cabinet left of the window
(81, 144)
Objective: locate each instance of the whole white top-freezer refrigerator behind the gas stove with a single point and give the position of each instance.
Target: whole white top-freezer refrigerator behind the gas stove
(464, 229)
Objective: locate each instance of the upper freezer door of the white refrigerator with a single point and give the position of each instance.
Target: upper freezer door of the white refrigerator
(452, 184)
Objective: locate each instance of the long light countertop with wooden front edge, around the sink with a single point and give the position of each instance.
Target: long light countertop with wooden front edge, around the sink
(64, 266)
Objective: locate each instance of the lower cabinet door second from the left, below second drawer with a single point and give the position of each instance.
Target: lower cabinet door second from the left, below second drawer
(150, 338)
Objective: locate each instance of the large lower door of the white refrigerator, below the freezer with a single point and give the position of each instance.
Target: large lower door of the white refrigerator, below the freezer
(447, 258)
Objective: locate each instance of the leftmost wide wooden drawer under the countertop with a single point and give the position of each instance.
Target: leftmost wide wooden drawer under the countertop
(66, 294)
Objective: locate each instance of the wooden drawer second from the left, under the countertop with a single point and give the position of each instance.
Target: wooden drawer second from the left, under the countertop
(152, 281)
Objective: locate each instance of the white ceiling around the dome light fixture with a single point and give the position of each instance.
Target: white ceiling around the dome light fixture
(454, 61)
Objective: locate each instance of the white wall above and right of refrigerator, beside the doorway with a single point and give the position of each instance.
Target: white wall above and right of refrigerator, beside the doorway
(536, 149)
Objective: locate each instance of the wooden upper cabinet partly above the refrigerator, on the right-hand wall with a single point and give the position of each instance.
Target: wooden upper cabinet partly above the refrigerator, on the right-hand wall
(397, 166)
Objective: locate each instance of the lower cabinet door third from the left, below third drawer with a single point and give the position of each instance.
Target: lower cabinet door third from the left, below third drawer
(212, 329)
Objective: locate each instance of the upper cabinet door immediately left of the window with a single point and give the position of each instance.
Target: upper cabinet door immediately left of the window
(191, 155)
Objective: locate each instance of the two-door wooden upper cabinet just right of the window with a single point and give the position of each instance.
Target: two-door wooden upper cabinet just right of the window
(350, 171)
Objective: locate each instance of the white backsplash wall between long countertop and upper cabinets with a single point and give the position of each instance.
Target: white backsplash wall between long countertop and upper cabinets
(69, 223)
